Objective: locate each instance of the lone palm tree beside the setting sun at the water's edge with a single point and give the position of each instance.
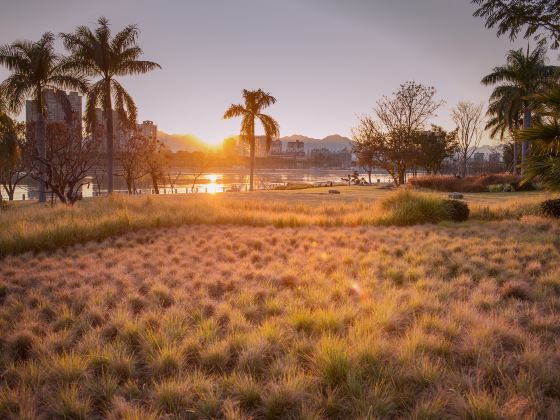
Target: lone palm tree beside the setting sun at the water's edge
(255, 102)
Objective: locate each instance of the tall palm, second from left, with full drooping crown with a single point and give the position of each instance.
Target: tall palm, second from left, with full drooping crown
(97, 54)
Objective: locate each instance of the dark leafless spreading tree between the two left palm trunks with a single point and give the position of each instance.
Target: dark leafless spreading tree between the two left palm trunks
(68, 160)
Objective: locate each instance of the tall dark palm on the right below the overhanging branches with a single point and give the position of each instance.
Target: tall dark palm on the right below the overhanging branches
(523, 75)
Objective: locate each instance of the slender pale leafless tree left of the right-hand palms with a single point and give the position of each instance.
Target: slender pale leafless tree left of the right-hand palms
(468, 119)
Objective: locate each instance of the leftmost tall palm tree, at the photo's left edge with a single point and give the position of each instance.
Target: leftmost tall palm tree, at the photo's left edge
(35, 67)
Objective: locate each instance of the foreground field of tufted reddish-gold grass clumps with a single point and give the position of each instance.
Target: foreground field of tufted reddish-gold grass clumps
(445, 321)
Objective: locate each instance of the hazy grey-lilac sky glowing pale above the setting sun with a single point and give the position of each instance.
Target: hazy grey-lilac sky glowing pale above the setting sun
(324, 60)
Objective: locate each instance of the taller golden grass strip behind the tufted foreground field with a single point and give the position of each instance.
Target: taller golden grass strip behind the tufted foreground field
(38, 228)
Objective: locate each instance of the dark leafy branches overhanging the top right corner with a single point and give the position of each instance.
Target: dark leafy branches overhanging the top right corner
(531, 17)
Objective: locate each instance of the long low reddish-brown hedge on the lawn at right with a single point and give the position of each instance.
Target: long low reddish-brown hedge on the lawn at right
(481, 183)
